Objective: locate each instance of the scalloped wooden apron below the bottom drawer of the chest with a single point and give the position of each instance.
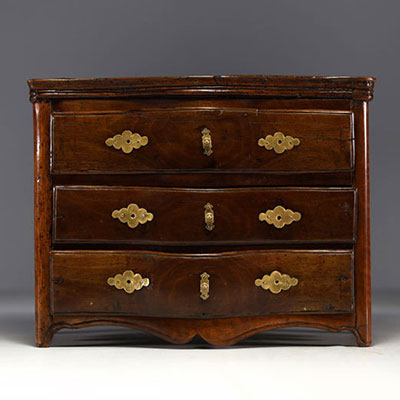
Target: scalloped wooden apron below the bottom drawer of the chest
(216, 331)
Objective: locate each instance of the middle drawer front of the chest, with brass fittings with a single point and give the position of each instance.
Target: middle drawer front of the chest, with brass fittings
(167, 216)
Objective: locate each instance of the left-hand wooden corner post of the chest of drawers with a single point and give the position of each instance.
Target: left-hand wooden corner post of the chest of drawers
(42, 216)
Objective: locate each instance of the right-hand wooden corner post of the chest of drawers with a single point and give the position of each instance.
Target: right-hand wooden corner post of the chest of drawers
(362, 248)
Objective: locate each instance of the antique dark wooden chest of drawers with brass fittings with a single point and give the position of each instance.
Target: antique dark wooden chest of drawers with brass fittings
(211, 206)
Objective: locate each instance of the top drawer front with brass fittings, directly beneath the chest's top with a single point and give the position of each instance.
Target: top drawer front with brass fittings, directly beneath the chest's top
(202, 139)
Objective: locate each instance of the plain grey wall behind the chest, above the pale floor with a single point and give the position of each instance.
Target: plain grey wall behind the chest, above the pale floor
(50, 39)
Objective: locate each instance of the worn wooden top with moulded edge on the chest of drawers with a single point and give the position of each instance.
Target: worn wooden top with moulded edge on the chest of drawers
(358, 88)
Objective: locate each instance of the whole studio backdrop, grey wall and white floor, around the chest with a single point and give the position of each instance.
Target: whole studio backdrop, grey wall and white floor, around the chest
(117, 38)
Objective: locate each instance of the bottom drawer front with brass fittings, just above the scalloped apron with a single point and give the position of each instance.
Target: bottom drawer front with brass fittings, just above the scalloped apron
(174, 285)
